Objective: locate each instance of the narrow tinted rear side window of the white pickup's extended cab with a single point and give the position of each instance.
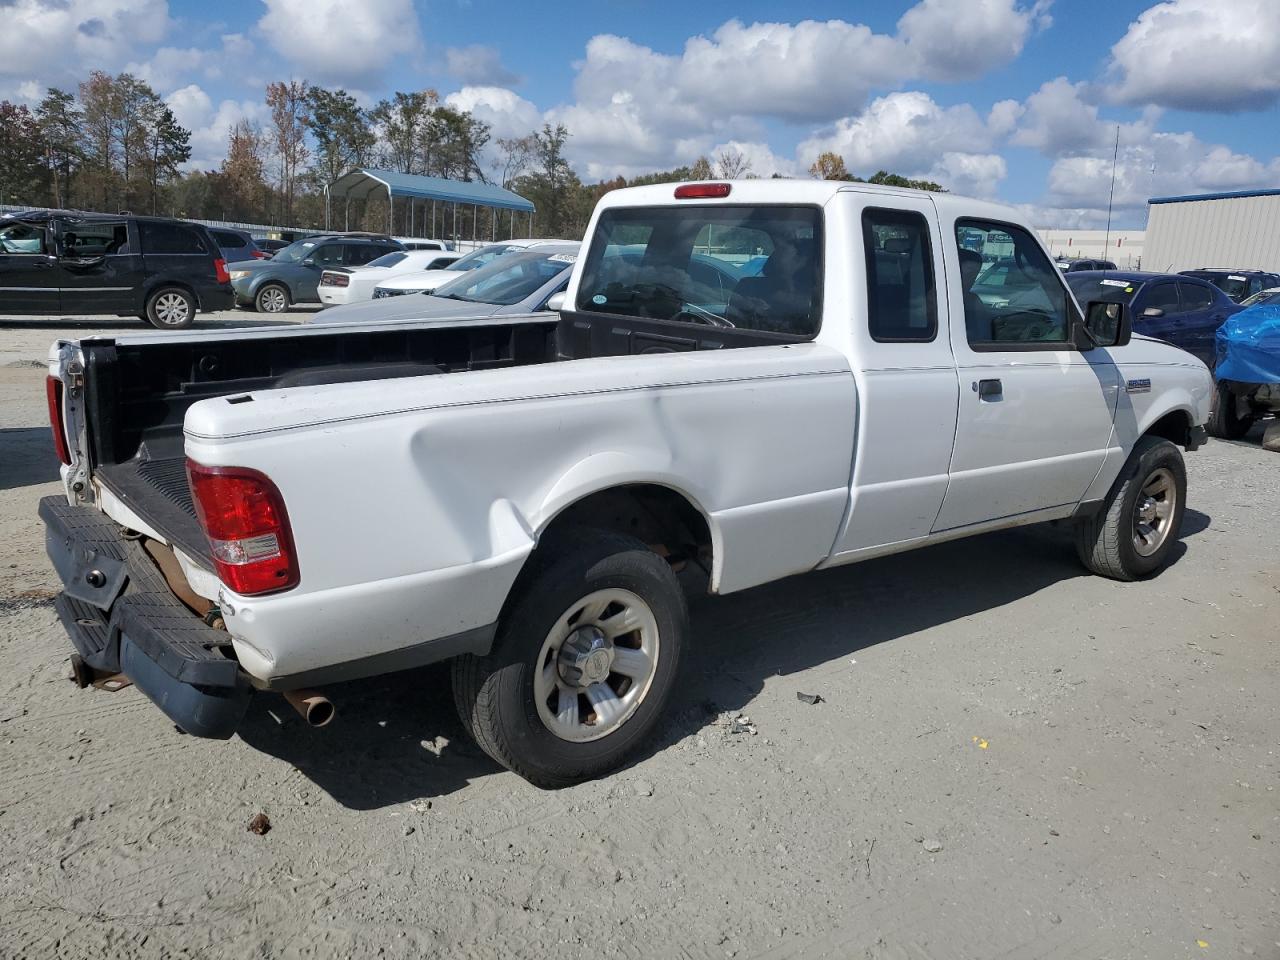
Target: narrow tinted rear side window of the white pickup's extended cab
(902, 304)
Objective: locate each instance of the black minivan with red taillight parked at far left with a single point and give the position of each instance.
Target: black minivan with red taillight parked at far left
(153, 268)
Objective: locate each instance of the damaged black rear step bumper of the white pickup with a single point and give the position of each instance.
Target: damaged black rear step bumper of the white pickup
(122, 618)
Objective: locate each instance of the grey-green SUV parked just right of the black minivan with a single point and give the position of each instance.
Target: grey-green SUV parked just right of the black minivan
(294, 275)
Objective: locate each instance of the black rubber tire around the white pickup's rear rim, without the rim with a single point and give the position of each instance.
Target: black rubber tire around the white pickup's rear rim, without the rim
(495, 694)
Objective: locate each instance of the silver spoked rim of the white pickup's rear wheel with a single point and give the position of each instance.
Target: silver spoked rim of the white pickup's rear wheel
(597, 665)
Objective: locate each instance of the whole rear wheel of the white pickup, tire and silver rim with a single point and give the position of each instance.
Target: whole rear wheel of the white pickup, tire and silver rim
(584, 664)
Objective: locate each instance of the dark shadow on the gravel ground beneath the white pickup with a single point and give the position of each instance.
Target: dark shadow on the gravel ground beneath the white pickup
(399, 738)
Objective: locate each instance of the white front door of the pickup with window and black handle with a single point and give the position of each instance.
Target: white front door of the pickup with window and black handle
(1036, 415)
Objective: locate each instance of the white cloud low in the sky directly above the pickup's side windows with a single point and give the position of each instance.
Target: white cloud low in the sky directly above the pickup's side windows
(911, 135)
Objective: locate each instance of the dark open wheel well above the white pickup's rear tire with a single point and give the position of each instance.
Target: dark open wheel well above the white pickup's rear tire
(664, 519)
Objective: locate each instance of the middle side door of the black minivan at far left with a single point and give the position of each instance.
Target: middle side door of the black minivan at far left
(100, 268)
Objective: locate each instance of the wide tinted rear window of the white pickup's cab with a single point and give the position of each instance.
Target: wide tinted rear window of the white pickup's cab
(729, 267)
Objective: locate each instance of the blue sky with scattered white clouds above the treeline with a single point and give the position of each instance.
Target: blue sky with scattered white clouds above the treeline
(1013, 99)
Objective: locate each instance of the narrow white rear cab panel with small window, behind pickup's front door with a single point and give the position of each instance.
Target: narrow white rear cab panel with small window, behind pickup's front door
(907, 374)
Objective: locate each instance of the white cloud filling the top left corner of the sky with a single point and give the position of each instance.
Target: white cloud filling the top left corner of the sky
(62, 40)
